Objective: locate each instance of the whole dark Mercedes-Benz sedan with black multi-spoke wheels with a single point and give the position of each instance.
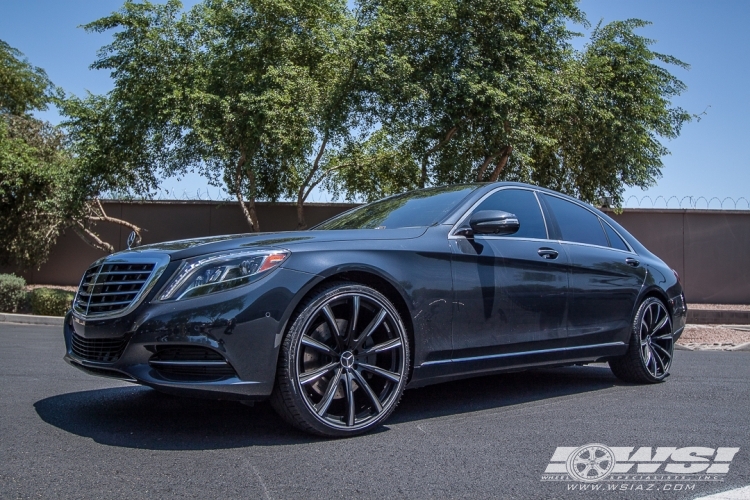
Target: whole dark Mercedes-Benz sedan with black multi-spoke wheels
(333, 323)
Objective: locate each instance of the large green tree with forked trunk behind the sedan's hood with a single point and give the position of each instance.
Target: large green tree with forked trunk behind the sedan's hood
(255, 94)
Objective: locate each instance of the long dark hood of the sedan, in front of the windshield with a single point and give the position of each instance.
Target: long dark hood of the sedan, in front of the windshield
(182, 249)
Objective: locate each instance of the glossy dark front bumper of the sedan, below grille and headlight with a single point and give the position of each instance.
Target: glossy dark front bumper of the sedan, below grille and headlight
(243, 327)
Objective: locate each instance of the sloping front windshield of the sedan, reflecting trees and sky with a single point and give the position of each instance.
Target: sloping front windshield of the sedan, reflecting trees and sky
(415, 208)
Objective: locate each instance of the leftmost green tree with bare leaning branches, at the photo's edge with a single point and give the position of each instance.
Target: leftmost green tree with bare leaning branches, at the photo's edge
(44, 188)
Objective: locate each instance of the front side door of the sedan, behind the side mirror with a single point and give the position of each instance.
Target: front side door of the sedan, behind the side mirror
(510, 292)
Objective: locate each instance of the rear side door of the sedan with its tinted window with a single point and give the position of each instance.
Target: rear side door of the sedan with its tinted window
(605, 275)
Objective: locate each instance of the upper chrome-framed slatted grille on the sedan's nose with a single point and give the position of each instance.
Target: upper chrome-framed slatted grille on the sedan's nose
(111, 287)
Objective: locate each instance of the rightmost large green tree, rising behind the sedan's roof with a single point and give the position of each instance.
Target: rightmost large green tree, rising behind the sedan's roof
(492, 90)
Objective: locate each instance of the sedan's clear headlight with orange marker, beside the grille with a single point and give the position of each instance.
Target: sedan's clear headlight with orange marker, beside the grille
(213, 273)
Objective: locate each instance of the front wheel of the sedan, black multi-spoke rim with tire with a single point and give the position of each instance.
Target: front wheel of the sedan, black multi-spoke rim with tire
(344, 362)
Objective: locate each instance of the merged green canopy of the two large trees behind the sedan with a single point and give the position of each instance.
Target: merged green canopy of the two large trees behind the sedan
(273, 98)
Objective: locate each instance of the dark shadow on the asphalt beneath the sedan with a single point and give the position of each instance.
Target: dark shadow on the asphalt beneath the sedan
(139, 417)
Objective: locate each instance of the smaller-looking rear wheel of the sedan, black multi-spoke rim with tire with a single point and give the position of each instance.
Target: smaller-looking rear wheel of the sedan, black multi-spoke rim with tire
(649, 355)
